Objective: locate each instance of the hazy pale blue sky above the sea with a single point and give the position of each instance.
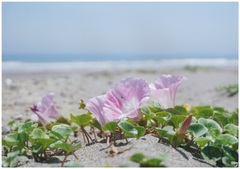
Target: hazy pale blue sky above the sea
(158, 28)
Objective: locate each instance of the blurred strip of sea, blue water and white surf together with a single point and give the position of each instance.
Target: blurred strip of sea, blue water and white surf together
(73, 62)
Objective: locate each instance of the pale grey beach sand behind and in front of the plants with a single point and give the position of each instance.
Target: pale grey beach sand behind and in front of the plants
(21, 90)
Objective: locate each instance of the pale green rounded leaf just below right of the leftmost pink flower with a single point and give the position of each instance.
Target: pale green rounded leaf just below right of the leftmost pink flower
(63, 129)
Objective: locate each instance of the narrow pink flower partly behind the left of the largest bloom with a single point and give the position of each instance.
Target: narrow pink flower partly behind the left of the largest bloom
(95, 106)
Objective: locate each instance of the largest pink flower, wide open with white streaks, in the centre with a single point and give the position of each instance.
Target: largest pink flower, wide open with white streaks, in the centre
(125, 99)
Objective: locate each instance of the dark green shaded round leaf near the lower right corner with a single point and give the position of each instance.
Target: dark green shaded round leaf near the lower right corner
(211, 154)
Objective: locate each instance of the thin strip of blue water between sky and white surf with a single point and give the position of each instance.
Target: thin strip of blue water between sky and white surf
(45, 58)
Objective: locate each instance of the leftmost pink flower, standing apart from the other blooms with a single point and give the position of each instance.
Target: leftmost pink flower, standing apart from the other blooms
(45, 110)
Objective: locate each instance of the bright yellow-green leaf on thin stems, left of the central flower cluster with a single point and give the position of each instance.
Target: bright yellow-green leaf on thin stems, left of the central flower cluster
(82, 120)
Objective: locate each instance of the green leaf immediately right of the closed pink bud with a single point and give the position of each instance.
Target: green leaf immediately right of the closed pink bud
(197, 129)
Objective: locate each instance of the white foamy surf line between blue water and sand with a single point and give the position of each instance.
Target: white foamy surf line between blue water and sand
(13, 66)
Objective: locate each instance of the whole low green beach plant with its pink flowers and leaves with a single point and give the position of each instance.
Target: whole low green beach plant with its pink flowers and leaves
(132, 108)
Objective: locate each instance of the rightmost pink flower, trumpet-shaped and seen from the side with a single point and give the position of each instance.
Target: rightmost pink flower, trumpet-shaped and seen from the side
(164, 89)
